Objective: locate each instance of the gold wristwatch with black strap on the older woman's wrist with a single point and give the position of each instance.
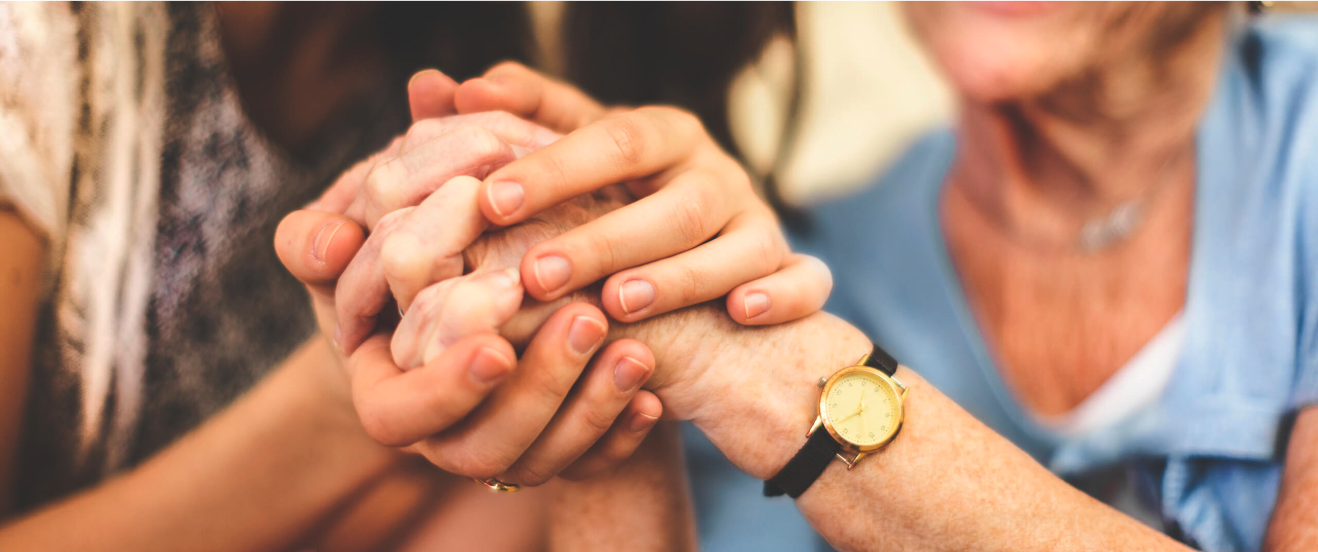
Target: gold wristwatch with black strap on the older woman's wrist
(860, 412)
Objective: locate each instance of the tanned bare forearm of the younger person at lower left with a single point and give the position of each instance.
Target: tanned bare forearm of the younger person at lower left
(259, 476)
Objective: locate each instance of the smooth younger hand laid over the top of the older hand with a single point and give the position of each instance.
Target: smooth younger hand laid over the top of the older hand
(698, 231)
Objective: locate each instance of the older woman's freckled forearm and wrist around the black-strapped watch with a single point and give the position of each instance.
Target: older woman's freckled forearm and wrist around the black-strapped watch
(946, 483)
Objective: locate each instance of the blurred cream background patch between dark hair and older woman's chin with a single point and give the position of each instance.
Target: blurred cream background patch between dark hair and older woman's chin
(856, 117)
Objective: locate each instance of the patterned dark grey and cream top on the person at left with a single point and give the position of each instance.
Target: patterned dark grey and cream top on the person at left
(123, 139)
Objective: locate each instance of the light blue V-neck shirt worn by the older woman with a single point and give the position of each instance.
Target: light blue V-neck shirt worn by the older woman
(1209, 453)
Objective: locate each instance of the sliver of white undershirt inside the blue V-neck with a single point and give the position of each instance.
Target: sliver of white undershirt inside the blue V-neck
(1133, 388)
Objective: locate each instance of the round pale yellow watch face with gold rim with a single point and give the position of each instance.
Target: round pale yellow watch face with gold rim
(861, 408)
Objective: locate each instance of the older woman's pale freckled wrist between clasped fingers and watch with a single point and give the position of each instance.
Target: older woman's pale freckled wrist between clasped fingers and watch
(752, 391)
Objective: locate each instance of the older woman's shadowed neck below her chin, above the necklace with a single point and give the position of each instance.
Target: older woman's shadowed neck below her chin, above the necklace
(1106, 138)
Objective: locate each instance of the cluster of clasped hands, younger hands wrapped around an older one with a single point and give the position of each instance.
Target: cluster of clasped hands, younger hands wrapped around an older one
(490, 226)
